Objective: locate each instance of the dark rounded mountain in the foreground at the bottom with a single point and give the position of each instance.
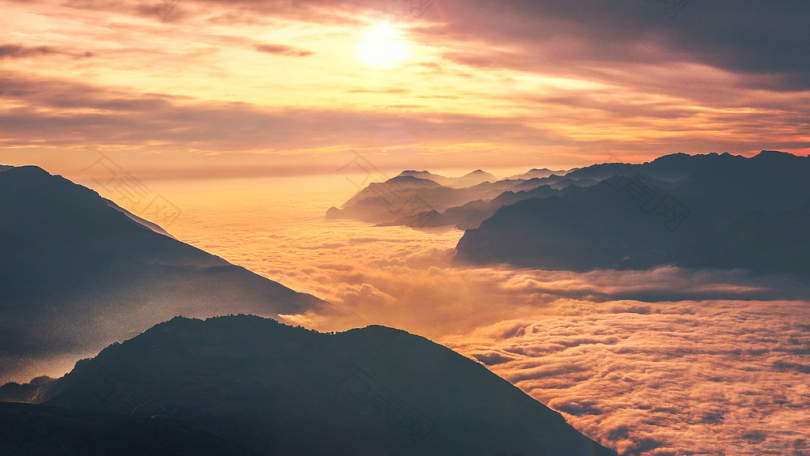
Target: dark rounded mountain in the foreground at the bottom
(282, 390)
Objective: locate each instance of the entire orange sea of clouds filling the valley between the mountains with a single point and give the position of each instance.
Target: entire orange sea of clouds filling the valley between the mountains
(660, 362)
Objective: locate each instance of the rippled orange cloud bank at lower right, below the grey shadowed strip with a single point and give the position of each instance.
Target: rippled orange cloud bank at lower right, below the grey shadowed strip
(685, 381)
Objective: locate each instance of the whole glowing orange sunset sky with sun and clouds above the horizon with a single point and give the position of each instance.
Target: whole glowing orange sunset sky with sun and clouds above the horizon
(201, 88)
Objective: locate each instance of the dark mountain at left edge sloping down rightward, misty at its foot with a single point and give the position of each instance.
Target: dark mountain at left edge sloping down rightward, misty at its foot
(77, 274)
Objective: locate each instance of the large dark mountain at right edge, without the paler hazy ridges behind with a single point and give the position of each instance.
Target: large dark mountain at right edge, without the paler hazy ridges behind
(723, 211)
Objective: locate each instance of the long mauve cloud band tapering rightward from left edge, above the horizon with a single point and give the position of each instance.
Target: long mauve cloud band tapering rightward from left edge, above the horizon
(75, 113)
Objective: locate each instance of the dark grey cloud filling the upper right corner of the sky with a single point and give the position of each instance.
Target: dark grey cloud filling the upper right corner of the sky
(730, 36)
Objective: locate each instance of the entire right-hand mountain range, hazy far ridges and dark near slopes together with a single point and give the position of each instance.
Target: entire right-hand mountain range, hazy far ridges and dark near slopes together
(699, 211)
